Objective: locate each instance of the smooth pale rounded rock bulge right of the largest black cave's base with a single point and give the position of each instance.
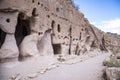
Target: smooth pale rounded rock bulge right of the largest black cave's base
(28, 47)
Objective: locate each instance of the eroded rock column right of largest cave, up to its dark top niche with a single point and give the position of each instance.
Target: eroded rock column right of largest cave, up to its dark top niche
(28, 47)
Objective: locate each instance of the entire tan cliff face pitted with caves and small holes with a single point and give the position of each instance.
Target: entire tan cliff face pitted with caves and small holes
(29, 28)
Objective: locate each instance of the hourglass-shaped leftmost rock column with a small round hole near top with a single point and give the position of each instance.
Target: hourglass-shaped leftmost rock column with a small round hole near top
(9, 50)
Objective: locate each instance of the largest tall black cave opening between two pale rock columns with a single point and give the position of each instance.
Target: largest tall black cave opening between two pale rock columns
(22, 29)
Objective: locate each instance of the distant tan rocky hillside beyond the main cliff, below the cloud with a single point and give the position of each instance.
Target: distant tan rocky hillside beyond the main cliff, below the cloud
(111, 40)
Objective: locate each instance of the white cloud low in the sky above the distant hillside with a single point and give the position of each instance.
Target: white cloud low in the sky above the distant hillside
(109, 26)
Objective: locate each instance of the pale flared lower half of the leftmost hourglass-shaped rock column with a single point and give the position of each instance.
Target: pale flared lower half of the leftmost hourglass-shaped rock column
(9, 50)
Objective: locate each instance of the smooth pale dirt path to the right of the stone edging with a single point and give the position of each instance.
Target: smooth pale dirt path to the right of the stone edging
(88, 70)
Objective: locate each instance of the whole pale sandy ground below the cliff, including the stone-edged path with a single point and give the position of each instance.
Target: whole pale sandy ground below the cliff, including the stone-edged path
(49, 68)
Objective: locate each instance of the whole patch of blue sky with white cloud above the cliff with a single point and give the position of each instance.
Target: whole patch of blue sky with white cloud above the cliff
(104, 14)
